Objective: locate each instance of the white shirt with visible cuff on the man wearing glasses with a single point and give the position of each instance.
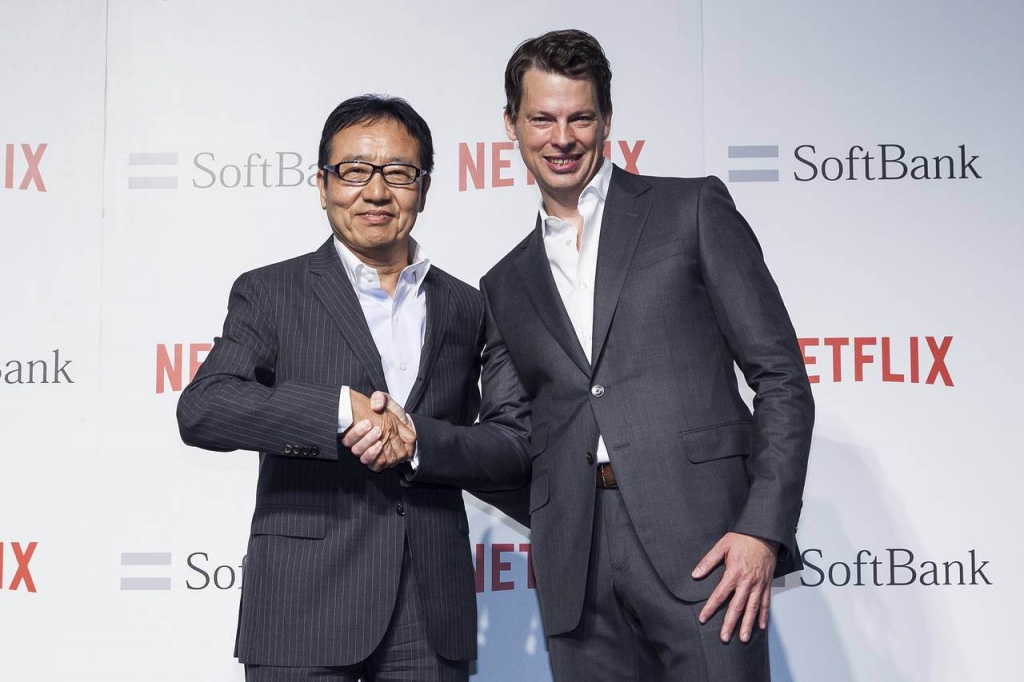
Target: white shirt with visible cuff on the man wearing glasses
(398, 325)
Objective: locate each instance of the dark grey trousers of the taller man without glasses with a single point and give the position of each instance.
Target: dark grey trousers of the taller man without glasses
(634, 630)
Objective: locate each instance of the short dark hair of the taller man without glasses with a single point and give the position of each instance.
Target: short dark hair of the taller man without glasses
(571, 53)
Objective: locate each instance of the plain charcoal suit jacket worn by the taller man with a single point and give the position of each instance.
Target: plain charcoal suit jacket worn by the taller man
(682, 294)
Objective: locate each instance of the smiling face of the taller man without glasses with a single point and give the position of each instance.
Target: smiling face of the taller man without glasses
(562, 136)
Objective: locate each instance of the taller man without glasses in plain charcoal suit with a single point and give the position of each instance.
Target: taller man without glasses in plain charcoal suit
(661, 507)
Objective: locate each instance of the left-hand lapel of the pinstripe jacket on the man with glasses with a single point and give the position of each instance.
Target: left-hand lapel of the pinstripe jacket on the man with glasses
(335, 291)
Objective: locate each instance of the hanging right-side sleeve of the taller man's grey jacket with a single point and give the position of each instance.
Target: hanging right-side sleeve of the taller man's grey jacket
(757, 328)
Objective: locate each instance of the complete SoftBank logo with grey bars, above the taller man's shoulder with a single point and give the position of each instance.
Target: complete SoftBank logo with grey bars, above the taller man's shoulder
(880, 162)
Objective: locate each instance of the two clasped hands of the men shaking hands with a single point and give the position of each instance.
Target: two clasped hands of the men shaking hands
(382, 436)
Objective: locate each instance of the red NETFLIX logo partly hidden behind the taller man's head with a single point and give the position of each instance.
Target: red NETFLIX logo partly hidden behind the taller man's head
(484, 165)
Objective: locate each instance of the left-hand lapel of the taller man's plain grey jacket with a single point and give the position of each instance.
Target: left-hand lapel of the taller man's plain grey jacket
(540, 287)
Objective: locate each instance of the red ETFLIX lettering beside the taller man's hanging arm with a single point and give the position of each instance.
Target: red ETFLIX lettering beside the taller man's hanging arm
(913, 360)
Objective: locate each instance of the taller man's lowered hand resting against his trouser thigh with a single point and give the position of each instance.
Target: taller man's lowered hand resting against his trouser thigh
(750, 564)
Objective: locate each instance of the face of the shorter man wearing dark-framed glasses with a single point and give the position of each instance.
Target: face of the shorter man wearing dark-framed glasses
(374, 221)
